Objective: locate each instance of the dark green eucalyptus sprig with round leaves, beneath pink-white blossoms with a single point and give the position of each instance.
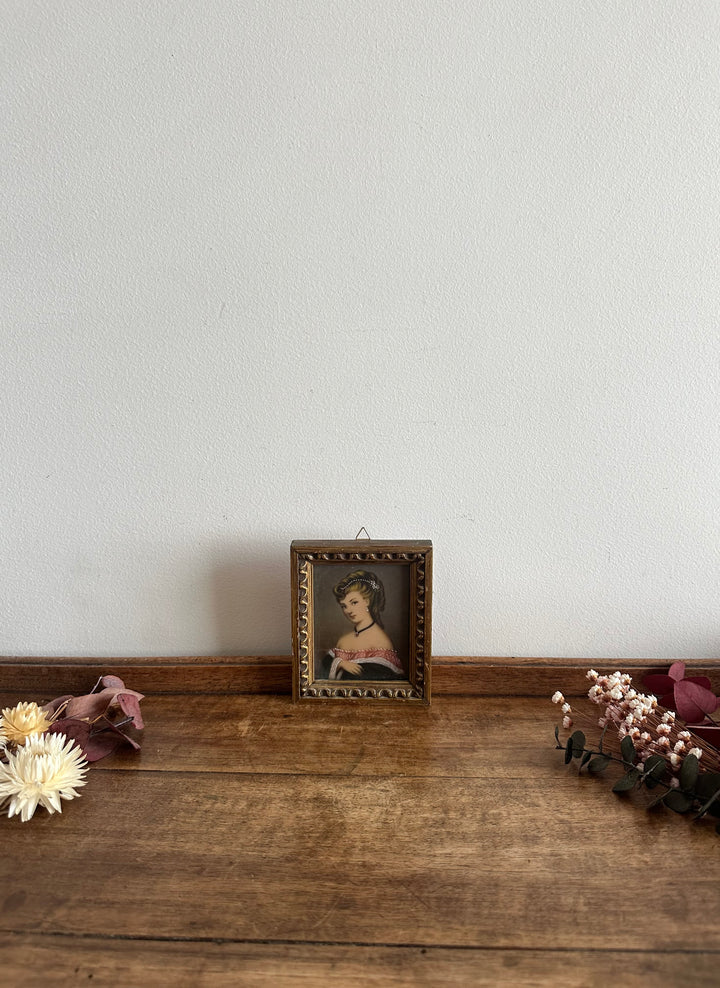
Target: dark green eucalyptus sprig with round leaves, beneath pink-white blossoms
(692, 790)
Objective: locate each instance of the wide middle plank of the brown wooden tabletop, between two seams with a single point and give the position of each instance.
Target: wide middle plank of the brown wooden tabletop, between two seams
(426, 862)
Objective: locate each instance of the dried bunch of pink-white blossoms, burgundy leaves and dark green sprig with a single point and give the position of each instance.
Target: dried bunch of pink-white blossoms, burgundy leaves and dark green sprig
(667, 745)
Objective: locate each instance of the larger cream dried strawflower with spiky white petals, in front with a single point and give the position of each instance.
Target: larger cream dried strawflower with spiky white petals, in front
(46, 769)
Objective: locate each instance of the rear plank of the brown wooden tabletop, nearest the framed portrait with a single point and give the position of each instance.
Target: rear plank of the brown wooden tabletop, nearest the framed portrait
(455, 737)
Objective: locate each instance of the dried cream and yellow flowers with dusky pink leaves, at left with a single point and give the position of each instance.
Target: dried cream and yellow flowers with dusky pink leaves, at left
(45, 750)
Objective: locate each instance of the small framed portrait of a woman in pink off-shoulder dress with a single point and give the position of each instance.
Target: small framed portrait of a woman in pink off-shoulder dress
(362, 620)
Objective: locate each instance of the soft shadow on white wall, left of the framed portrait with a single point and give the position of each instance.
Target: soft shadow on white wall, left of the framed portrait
(251, 600)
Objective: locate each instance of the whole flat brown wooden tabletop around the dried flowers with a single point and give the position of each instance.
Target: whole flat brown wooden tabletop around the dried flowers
(257, 842)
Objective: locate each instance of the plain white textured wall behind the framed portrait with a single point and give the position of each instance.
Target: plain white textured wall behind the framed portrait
(277, 270)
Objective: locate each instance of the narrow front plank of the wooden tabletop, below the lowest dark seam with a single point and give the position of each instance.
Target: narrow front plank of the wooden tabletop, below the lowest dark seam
(75, 960)
